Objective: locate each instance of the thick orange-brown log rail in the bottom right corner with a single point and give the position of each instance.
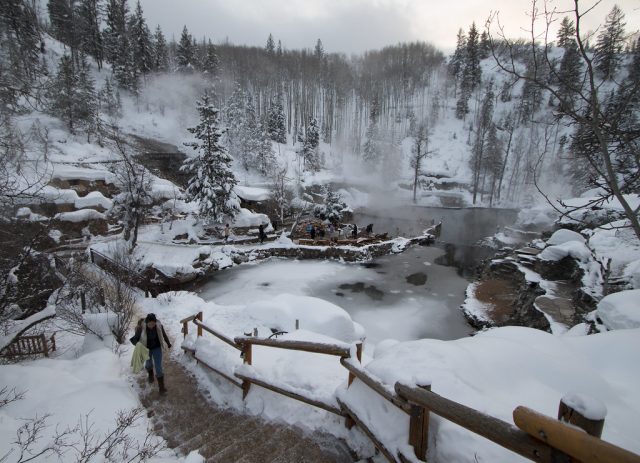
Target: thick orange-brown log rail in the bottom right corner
(572, 441)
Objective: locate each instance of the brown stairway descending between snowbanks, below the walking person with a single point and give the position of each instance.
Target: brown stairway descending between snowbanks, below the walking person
(188, 421)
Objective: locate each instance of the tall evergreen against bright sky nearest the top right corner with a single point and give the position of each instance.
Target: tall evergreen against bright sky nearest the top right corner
(608, 49)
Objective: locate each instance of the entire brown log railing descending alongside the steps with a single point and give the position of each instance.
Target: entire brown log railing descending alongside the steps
(534, 436)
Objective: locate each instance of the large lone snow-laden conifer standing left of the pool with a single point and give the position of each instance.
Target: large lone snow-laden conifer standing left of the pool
(211, 180)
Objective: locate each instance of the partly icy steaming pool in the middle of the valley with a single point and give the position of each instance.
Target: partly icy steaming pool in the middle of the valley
(405, 296)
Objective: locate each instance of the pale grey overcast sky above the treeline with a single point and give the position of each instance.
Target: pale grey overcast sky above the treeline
(350, 25)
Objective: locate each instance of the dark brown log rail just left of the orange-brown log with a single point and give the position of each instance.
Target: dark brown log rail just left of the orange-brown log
(494, 429)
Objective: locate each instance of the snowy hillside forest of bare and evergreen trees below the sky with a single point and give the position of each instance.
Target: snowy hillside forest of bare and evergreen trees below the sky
(315, 101)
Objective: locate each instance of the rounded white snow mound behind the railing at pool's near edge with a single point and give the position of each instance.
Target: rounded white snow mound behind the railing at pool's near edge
(315, 315)
